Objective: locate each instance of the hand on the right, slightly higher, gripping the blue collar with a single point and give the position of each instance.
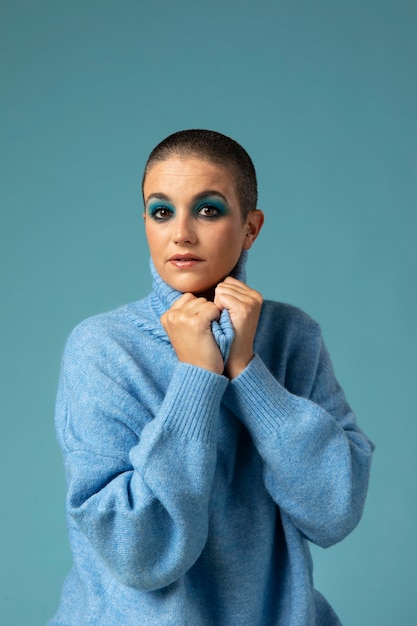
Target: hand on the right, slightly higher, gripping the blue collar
(244, 306)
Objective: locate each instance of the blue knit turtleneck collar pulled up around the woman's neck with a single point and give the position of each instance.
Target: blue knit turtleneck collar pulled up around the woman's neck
(164, 296)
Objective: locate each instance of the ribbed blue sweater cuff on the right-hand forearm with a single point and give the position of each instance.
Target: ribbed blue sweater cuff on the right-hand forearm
(259, 400)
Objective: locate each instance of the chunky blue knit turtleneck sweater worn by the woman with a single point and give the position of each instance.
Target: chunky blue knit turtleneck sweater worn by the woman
(191, 497)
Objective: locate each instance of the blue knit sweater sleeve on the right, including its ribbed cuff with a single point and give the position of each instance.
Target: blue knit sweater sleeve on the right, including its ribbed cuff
(316, 459)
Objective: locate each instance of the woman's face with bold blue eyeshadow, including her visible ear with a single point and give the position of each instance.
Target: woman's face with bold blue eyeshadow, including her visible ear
(193, 223)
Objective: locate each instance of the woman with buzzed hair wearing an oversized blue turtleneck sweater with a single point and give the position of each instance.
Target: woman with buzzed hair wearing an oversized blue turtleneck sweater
(206, 439)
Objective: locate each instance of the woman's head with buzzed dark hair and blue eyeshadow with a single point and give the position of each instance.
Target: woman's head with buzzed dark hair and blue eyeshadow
(195, 224)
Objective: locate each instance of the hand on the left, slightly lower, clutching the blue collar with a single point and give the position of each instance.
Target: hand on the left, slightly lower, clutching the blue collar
(188, 325)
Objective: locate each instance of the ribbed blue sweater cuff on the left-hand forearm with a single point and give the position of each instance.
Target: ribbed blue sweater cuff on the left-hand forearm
(192, 403)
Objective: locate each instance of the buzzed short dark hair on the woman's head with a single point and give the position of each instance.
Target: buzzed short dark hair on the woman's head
(217, 148)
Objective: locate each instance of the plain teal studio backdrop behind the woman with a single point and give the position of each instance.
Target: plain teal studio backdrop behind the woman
(324, 97)
